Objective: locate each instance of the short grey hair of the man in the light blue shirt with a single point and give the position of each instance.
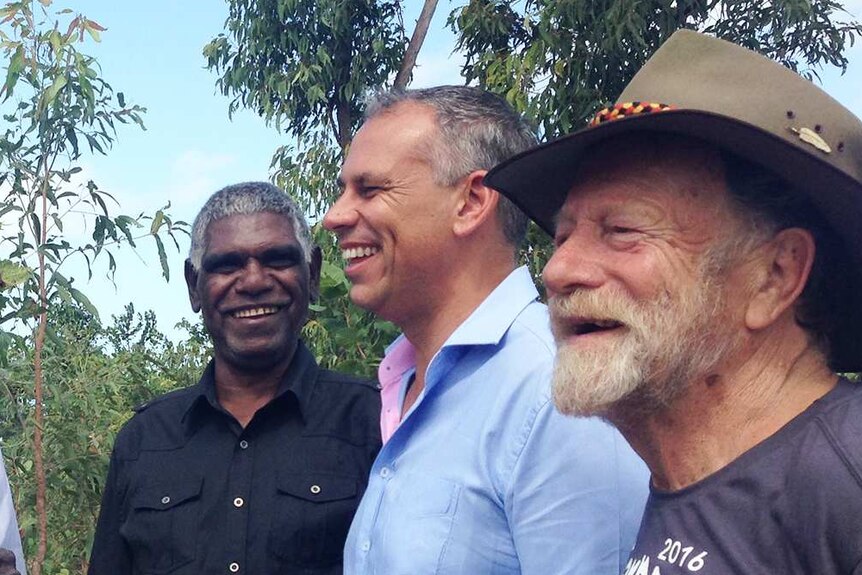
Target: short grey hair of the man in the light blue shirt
(476, 131)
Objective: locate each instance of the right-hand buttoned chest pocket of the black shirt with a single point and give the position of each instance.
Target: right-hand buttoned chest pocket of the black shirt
(311, 518)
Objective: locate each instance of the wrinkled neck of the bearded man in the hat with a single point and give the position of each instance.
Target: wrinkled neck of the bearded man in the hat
(722, 416)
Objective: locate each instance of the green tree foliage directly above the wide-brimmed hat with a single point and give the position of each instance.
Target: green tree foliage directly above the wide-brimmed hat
(560, 60)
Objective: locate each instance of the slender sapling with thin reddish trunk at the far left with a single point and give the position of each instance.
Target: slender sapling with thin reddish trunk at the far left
(55, 101)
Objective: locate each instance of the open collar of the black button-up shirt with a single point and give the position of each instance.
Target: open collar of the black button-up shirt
(298, 380)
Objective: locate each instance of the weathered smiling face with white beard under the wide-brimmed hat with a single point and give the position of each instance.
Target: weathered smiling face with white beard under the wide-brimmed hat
(638, 282)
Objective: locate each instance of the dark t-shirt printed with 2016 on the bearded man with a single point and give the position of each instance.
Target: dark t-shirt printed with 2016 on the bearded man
(790, 505)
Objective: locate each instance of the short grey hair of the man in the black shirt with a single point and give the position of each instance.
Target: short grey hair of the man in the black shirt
(242, 199)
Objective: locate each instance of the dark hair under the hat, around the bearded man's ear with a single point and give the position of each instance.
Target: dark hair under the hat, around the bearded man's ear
(765, 200)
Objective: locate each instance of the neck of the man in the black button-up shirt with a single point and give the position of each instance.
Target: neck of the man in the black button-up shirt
(242, 392)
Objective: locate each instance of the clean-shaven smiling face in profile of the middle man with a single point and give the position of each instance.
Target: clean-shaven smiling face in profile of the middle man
(393, 221)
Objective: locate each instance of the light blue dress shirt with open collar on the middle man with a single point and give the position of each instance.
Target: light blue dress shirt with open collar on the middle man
(484, 476)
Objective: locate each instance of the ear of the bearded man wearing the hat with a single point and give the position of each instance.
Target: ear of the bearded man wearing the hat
(785, 265)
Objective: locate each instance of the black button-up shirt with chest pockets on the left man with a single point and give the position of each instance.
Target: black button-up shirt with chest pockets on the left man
(189, 491)
